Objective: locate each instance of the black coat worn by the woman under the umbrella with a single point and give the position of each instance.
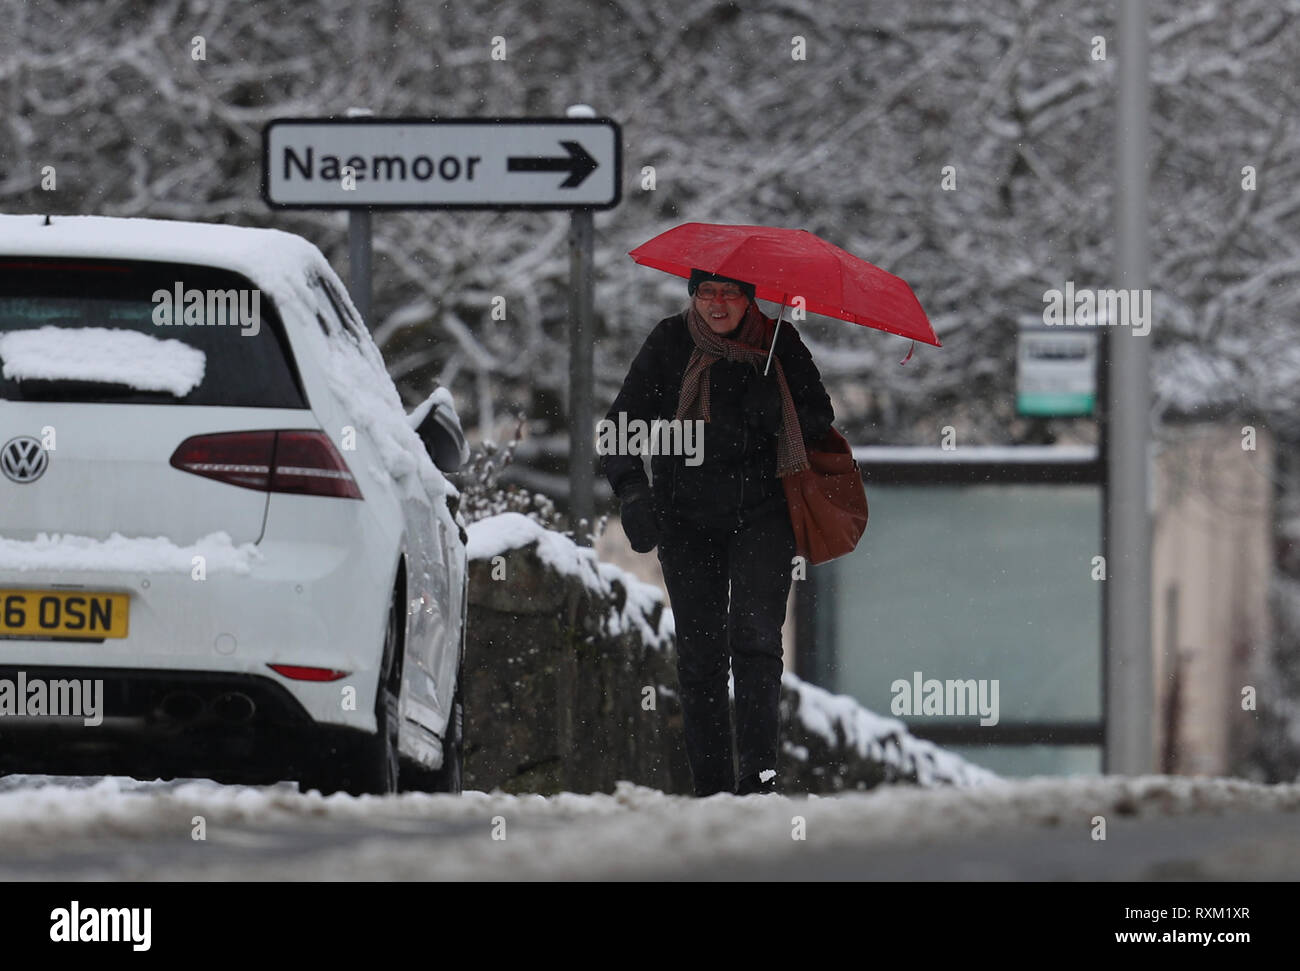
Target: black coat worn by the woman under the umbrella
(738, 483)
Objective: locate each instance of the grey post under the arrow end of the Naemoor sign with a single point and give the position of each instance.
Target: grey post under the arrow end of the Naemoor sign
(582, 406)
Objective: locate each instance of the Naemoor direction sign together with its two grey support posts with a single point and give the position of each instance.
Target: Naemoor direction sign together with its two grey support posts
(363, 163)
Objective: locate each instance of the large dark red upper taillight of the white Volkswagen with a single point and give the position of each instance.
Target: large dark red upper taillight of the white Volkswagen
(305, 463)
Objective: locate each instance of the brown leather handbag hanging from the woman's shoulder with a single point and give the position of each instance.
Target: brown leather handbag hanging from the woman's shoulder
(829, 502)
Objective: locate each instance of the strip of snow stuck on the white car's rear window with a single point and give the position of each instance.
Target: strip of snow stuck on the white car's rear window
(102, 356)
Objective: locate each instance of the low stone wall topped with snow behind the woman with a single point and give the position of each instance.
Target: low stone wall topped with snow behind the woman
(571, 686)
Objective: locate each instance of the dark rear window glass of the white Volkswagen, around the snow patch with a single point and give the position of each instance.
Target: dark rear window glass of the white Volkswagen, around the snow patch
(248, 358)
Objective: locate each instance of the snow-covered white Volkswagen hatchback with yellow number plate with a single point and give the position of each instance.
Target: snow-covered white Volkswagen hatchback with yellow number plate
(218, 519)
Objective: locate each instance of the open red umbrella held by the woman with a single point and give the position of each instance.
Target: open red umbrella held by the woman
(790, 263)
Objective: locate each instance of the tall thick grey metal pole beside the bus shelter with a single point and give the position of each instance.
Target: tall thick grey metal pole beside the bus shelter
(1132, 699)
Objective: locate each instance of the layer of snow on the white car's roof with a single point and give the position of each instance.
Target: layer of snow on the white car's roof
(262, 255)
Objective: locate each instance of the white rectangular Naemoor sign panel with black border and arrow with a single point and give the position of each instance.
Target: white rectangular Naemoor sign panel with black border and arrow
(443, 164)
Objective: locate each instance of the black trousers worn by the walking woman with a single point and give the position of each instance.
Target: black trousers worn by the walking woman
(699, 565)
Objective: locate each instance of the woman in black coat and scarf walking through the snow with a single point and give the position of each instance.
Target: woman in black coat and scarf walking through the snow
(722, 524)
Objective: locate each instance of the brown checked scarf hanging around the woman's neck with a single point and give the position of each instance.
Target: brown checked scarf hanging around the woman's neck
(748, 344)
